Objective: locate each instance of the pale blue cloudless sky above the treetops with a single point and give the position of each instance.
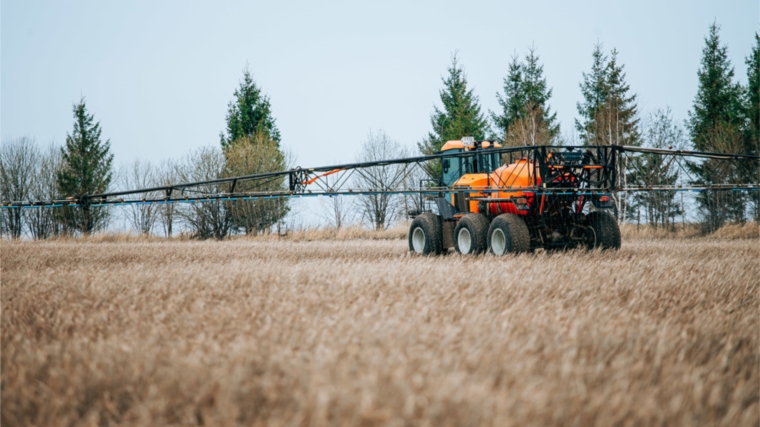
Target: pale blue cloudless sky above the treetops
(158, 74)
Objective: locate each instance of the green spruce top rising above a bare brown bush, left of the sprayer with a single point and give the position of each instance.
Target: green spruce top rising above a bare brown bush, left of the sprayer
(249, 114)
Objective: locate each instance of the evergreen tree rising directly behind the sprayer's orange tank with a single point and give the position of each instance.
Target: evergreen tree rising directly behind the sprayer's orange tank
(526, 118)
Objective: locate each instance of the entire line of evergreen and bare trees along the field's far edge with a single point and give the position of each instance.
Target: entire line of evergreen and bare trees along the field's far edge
(725, 117)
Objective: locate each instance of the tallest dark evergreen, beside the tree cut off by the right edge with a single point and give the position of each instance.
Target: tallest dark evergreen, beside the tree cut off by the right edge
(715, 124)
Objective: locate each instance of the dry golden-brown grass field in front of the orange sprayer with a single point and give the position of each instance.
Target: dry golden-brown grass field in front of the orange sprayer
(313, 332)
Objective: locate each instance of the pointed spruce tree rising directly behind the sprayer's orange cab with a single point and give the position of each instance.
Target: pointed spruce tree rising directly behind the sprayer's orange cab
(461, 115)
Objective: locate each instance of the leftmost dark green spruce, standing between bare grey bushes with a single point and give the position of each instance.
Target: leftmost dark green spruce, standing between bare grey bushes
(86, 169)
